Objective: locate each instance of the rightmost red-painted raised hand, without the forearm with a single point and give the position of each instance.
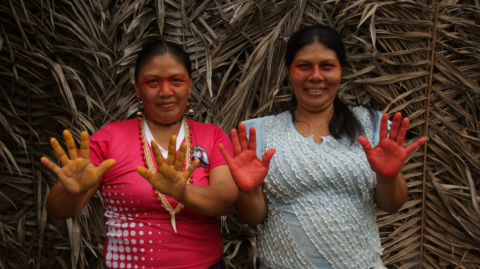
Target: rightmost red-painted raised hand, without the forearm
(387, 158)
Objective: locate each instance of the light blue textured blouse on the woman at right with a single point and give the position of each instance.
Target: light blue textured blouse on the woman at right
(320, 198)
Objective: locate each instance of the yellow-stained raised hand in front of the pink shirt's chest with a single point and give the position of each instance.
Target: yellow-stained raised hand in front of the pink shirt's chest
(169, 178)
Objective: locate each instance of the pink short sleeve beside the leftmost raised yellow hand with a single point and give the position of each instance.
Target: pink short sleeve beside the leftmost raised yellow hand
(99, 143)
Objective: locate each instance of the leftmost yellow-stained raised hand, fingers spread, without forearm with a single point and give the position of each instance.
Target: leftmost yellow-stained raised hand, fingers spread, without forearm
(78, 174)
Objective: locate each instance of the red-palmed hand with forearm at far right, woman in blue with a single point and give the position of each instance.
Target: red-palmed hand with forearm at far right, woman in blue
(387, 159)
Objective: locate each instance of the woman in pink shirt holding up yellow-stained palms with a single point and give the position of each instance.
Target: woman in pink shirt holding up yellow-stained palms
(174, 223)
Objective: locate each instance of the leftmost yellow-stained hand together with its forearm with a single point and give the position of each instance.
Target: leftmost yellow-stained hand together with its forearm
(79, 179)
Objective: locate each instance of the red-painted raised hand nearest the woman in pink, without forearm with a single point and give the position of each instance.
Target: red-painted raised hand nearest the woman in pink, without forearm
(247, 169)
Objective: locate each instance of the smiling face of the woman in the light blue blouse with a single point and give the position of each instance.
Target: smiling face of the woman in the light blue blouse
(315, 74)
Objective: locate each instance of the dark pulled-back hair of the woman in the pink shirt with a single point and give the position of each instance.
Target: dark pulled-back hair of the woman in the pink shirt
(162, 47)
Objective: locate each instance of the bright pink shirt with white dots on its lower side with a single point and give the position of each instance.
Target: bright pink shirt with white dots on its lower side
(139, 232)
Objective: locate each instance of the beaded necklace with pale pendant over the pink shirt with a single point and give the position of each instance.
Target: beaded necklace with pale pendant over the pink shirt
(147, 160)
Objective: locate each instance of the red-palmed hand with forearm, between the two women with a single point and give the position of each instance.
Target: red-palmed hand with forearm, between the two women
(249, 172)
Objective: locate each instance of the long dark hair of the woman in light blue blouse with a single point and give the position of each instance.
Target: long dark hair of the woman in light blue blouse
(343, 121)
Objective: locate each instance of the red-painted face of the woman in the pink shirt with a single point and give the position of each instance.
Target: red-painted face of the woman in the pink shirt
(163, 84)
